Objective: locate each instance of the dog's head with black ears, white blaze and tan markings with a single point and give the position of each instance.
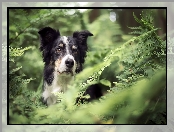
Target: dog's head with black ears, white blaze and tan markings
(65, 53)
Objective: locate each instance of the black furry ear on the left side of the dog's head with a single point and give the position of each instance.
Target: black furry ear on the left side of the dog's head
(47, 36)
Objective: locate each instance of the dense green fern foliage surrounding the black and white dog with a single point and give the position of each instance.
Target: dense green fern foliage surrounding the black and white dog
(131, 70)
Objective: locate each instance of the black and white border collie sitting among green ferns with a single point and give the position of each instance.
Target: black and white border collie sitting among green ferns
(63, 57)
